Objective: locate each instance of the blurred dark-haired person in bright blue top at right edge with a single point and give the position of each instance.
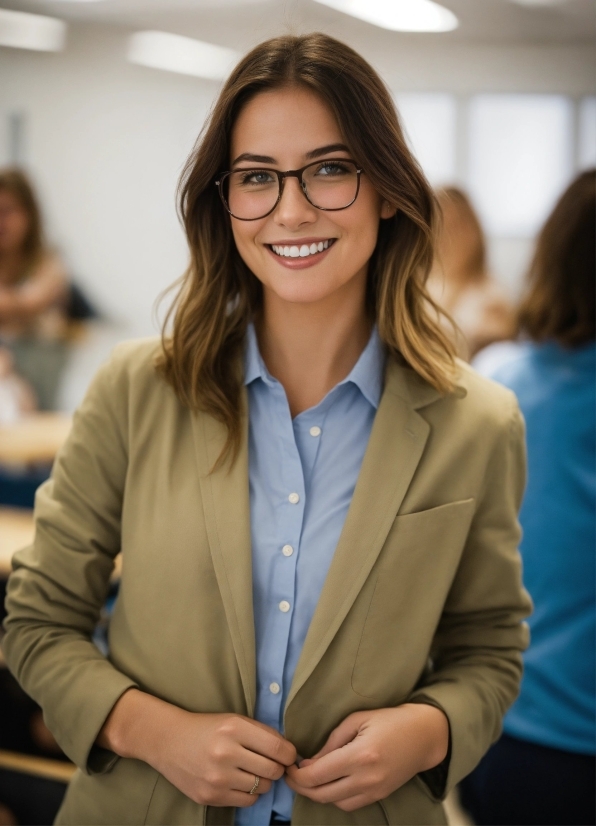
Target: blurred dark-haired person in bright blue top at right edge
(542, 769)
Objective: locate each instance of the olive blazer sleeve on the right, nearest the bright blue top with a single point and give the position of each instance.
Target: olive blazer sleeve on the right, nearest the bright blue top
(476, 655)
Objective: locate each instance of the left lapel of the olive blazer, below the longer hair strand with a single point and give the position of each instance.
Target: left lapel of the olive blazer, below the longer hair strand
(225, 495)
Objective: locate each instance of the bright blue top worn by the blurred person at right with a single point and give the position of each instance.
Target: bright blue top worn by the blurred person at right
(557, 395)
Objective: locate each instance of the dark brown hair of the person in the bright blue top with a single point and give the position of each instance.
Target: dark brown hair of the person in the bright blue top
(560, 302)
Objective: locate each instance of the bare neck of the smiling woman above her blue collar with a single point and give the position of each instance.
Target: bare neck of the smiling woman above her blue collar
(310, 348)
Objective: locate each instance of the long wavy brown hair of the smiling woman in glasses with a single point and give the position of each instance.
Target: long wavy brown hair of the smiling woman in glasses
(219, 295)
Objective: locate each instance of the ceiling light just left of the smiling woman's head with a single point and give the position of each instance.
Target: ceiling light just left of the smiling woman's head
(175, 53)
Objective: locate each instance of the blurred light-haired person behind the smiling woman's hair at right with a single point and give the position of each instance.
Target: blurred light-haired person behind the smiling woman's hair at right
(460, 282)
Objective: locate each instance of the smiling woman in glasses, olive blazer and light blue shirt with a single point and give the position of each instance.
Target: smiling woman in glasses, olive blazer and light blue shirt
(320, 605)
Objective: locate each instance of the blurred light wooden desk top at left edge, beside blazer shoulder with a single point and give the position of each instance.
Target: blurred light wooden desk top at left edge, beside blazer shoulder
(34, 439)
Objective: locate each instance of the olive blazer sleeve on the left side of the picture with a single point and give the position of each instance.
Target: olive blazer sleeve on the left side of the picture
(59, 583)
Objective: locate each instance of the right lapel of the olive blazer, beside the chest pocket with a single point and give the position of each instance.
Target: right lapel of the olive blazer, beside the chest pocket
(396, 445)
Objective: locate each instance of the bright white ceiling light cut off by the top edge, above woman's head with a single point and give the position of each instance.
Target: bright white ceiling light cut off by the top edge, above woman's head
(398, 15)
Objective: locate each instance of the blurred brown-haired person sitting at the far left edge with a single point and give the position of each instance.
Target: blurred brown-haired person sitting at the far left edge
(33, 290)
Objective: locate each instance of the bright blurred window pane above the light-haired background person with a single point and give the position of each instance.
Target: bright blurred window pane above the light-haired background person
(520, 159)
